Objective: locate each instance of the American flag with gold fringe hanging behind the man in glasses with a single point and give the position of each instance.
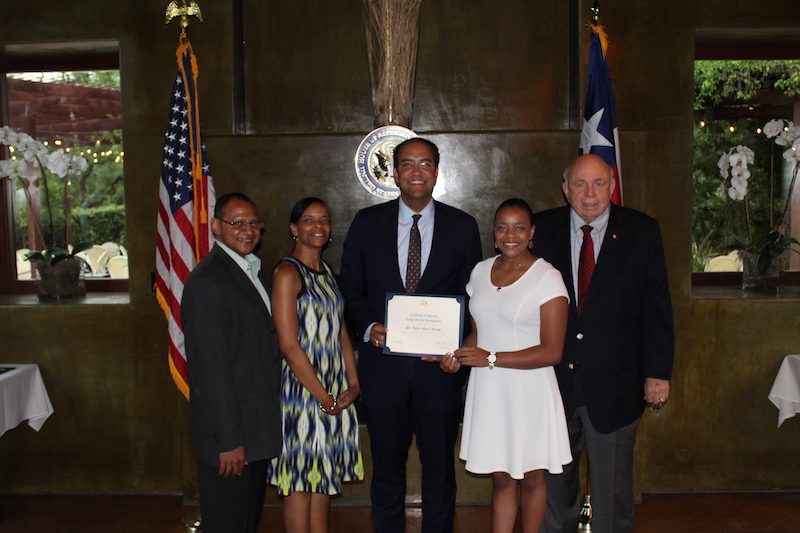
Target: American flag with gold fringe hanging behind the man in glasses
(186, 201)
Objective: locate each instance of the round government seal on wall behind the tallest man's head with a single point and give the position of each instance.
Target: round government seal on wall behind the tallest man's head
(375, 160)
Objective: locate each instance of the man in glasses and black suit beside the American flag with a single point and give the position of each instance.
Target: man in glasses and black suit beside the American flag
(234, 371)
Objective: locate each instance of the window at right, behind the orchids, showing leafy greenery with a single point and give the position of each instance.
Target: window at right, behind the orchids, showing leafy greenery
(737, 92)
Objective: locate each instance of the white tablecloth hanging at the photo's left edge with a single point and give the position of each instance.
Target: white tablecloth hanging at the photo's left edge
(23, 397)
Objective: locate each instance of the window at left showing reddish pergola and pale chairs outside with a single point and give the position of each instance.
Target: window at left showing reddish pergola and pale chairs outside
(70, 106)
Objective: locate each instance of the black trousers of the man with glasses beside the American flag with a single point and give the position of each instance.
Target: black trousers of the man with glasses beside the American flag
(231, 504)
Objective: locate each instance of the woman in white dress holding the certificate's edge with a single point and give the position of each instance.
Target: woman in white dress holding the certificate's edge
(514, 424)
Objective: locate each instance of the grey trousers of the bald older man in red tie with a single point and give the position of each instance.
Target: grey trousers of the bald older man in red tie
(610, 474)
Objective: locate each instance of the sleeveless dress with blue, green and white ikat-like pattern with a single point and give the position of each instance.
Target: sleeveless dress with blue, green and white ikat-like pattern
(319, 451)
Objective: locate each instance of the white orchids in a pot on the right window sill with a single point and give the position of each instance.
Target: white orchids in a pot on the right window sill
(765, 248)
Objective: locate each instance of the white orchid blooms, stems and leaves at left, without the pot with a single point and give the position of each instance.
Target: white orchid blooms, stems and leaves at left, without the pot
(30, 164)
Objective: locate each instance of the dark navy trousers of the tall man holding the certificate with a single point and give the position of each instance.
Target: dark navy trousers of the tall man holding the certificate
(401, 409)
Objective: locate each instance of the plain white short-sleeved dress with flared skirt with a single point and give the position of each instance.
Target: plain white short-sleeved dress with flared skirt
(513, 418)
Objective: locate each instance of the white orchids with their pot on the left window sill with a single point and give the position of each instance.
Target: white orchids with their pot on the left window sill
(59, 269)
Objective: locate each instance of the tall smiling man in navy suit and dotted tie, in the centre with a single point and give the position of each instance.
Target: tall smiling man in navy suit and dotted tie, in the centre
(404, 396)
